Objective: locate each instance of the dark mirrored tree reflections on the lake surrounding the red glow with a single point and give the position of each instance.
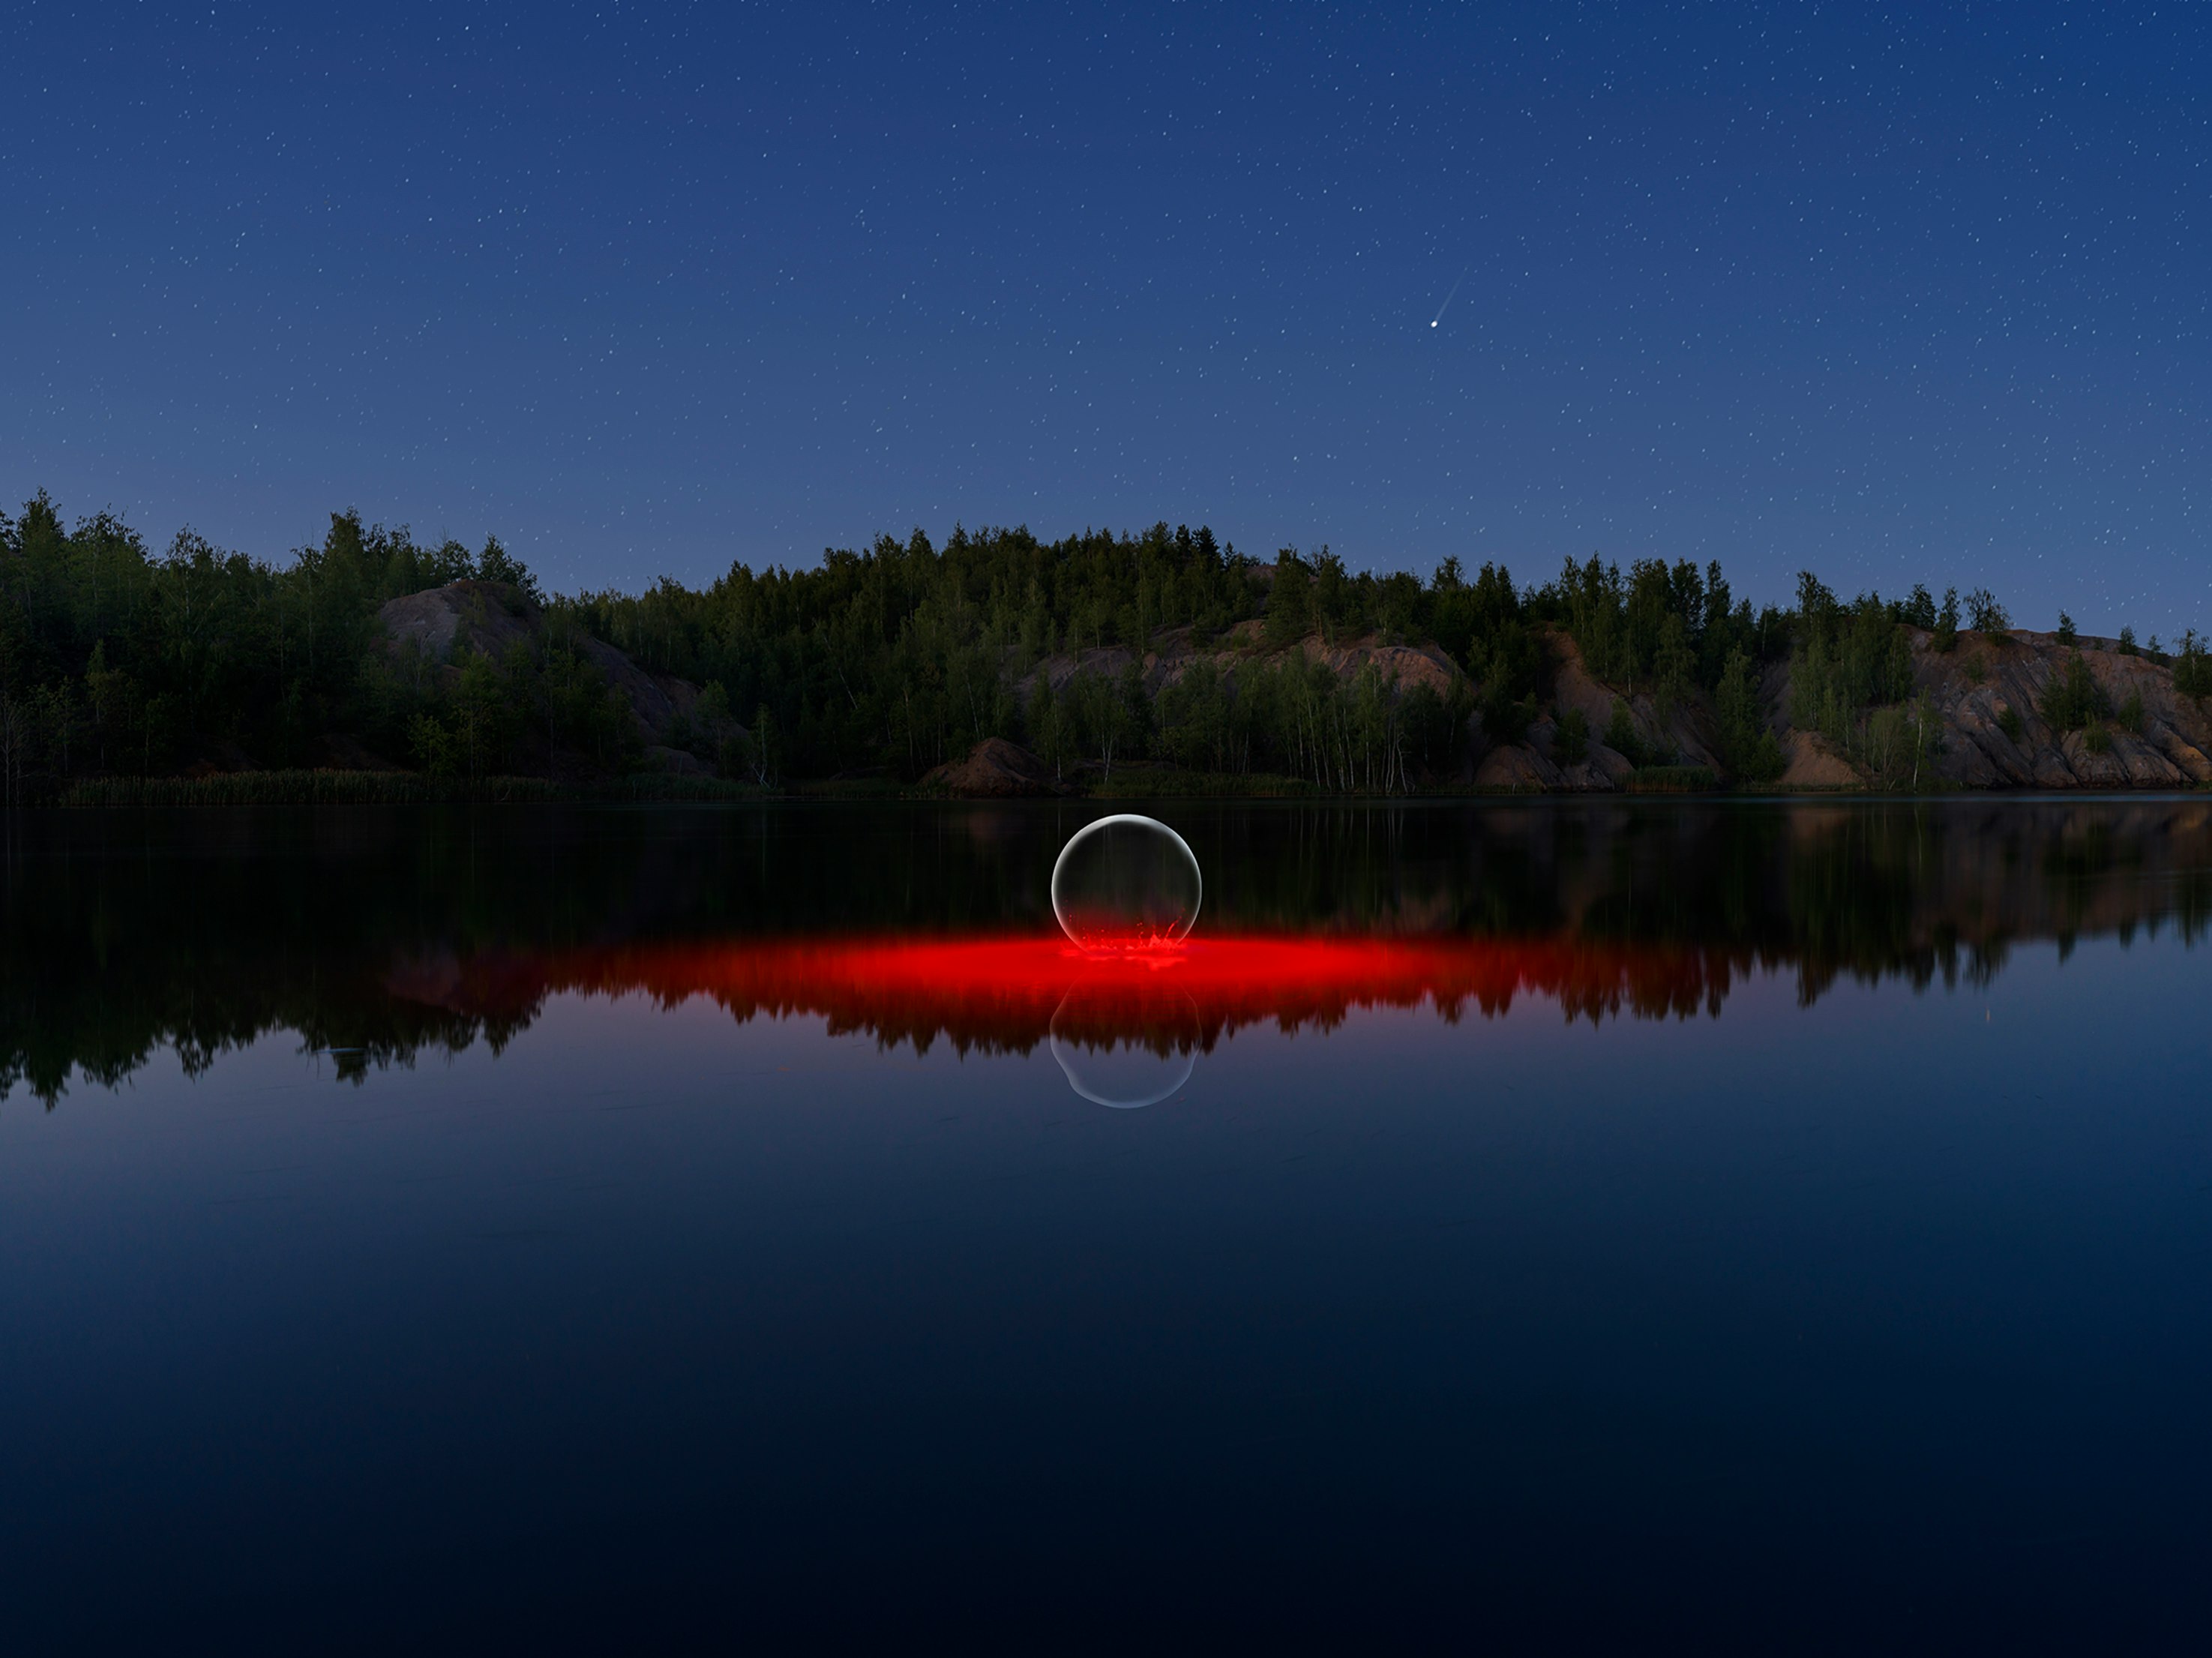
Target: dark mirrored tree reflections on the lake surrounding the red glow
(202, 931)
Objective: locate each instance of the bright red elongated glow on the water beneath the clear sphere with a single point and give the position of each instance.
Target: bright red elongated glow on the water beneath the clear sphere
(1012, 993)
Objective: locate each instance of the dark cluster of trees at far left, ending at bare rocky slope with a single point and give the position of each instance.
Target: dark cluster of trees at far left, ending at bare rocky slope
(118, 661)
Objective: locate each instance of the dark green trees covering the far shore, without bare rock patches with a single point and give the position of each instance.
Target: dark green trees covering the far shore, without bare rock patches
(897, 659)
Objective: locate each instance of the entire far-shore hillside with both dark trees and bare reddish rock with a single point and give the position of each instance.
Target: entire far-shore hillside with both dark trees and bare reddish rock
(1103, 661)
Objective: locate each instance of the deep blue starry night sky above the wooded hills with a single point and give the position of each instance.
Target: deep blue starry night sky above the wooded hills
(1895, 293)
